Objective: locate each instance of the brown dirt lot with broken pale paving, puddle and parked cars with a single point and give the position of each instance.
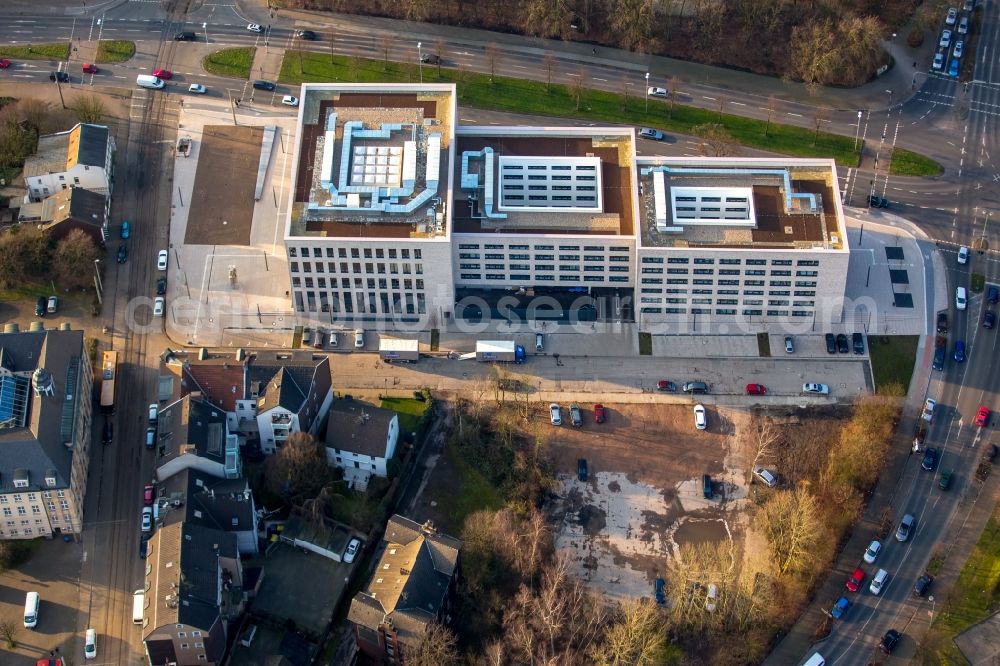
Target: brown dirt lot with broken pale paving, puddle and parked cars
(643, 495)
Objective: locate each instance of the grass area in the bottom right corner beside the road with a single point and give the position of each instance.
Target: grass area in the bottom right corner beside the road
(976, 595)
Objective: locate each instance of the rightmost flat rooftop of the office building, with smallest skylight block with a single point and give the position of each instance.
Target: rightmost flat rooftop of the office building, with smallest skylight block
(739, 203)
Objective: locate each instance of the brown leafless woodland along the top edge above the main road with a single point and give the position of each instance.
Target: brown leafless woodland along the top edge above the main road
(835, 42)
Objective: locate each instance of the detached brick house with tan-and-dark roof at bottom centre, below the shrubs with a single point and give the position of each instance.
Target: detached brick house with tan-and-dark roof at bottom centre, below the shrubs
(411, 589)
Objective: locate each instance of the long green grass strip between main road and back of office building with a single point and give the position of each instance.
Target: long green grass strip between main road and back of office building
(524, 96)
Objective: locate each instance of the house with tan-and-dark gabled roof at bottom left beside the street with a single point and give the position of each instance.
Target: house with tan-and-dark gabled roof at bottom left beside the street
(194, 588)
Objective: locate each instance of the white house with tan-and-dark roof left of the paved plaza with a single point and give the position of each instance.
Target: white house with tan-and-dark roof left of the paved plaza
(81, 157)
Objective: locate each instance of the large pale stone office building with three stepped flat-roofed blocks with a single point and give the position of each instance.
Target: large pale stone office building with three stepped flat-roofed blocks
(402, 215)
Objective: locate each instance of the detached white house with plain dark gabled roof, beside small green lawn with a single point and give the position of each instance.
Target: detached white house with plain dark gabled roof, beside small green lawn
(360, 439)
